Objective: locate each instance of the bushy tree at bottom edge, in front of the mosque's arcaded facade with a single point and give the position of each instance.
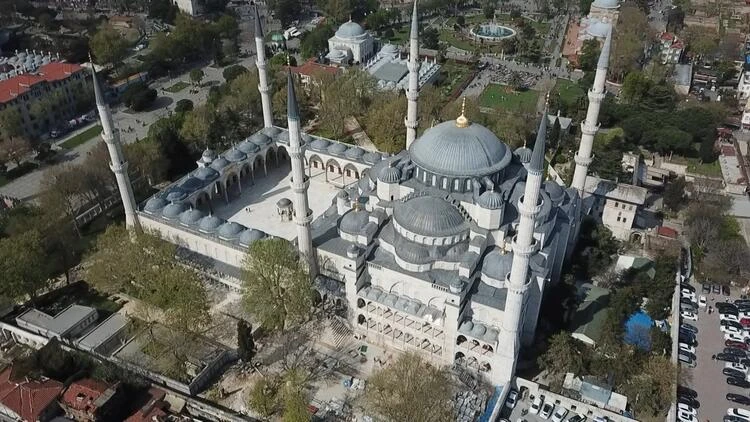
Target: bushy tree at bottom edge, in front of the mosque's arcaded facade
(393, 391)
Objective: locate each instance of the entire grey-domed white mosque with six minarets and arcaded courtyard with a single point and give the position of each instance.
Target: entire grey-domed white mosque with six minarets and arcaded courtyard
(445, 248)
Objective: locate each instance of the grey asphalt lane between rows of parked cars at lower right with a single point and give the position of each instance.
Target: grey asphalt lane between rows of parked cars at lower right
(706, 378)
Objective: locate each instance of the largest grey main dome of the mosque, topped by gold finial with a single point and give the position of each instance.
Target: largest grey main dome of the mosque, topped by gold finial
(450, 150)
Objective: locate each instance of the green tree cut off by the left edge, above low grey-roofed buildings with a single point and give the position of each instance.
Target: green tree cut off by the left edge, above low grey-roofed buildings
(22, 264)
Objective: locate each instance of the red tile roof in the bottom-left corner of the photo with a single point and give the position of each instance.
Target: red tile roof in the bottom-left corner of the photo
(27, 398)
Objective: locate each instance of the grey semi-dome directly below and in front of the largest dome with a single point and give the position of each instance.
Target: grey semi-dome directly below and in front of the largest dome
(429, 216)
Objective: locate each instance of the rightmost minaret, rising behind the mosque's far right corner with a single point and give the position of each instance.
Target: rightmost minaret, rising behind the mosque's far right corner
(591, 125)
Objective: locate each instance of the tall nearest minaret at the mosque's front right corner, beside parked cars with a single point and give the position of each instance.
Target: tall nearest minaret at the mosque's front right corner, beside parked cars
(524, 246)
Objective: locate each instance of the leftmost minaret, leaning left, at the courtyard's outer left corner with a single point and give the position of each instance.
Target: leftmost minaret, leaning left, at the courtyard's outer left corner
(119, 166)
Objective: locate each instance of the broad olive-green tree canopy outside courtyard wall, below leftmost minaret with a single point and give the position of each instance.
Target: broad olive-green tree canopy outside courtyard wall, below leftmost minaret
(144, 266)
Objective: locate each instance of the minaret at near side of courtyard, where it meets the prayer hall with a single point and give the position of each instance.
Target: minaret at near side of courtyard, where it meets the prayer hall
(299, 182)
